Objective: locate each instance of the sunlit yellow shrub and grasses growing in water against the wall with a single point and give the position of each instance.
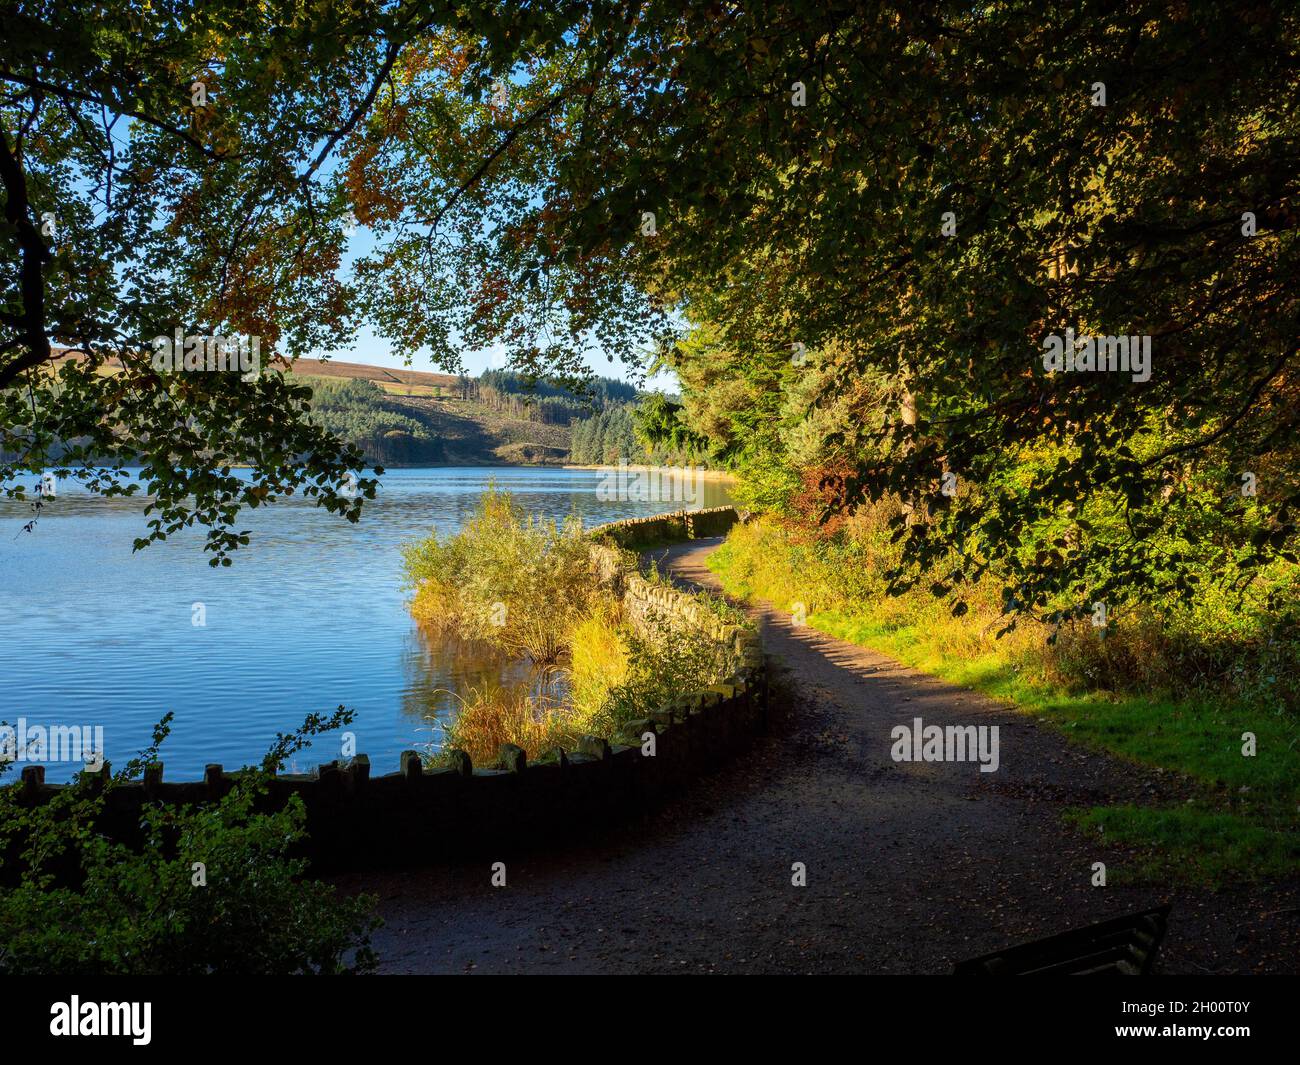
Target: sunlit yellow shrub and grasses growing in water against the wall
(528, 591)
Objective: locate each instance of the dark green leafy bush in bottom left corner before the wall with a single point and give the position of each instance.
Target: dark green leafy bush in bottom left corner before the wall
(79, 904)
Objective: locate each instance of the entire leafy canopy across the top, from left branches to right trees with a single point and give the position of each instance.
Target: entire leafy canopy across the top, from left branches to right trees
(857, 232)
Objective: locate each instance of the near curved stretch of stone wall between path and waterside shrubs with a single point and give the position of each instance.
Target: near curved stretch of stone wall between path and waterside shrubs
(422, 816)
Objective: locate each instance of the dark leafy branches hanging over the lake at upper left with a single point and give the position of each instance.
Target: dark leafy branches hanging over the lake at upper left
(177, 168)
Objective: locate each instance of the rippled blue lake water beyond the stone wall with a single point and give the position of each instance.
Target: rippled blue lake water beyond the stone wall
(310, 616)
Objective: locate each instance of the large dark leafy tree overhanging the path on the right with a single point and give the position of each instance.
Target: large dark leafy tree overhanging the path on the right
(934, 194)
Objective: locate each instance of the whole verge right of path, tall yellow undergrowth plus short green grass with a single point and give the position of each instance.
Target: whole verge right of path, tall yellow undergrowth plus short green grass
(1175, 689)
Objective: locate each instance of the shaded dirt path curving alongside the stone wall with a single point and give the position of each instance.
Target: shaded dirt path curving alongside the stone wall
(911, 867)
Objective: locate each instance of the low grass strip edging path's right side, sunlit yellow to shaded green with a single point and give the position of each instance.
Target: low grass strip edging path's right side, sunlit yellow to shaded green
(1242, 822)
